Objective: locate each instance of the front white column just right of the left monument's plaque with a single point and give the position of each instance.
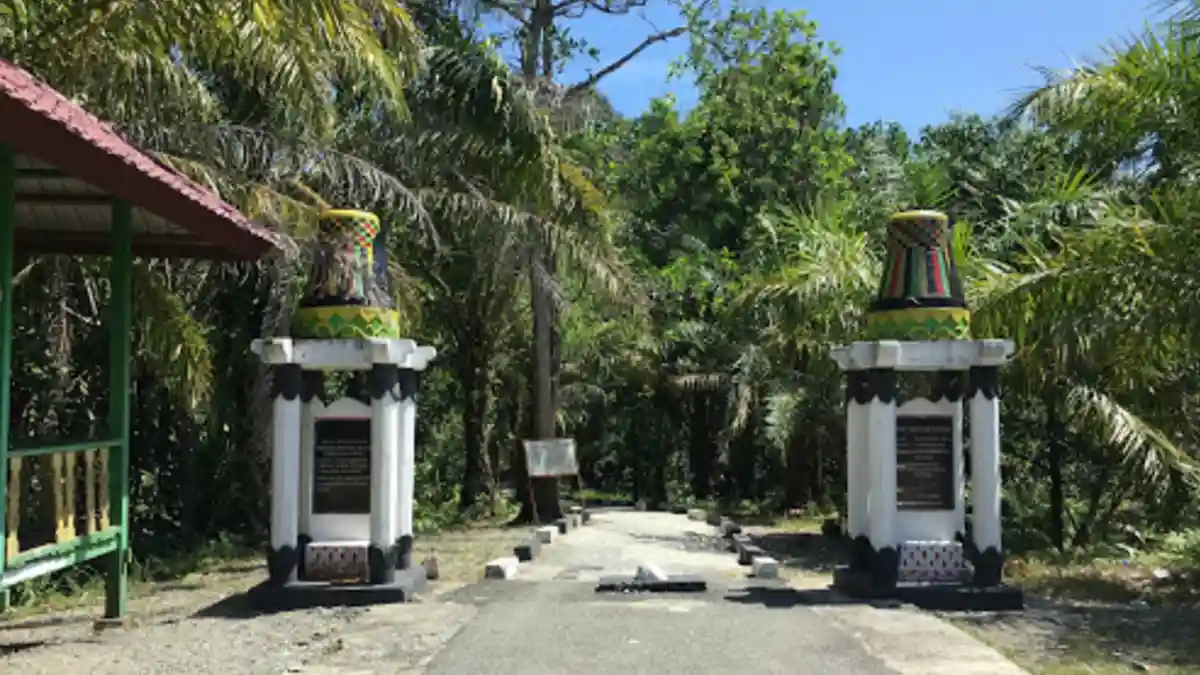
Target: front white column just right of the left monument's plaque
(385, 467)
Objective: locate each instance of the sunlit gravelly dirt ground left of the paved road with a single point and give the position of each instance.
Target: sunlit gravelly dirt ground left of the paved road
(193, 626)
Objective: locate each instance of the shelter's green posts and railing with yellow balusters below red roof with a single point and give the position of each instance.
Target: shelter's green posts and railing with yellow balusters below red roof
(95, 470)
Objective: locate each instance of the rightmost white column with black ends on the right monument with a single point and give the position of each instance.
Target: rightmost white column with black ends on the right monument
(986, 461)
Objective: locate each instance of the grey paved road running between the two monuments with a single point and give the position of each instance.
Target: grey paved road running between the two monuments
(553, 623)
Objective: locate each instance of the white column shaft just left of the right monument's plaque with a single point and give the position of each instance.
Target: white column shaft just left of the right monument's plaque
(881, 439)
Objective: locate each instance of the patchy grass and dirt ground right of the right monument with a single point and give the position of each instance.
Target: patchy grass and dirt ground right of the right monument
(1107, 612)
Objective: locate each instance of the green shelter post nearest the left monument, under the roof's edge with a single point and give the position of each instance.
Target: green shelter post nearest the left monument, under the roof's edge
(121, 328)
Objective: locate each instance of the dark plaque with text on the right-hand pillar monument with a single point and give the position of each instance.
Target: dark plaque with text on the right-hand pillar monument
(926, 463)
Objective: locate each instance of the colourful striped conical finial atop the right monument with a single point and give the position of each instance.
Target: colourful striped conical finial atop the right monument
(921, 296)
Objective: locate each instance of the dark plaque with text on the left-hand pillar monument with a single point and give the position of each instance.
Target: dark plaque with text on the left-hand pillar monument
(341, 467)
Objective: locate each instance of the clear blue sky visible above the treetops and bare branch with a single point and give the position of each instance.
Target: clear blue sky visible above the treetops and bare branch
(911, 62)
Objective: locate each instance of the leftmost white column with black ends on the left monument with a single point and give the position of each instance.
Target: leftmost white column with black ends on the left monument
(285, 473)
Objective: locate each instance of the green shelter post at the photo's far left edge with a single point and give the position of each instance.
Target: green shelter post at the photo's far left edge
(8, 228)
